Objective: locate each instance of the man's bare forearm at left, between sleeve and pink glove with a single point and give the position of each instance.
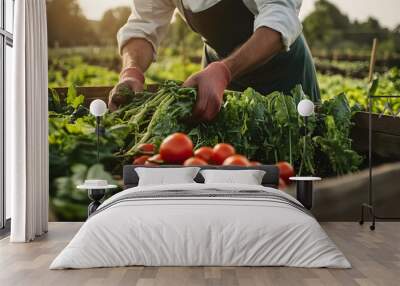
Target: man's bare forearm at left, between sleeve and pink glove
(137, 53)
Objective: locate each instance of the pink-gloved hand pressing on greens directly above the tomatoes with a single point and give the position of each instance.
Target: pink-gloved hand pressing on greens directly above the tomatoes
(211, 84)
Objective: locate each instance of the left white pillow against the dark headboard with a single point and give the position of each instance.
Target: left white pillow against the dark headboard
(166, 176)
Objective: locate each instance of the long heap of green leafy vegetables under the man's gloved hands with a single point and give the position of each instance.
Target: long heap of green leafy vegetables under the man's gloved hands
(263, 128)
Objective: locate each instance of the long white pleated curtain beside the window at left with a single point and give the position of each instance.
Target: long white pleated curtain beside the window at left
(26, 124)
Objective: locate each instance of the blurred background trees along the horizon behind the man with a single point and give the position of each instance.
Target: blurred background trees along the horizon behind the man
(325, 28)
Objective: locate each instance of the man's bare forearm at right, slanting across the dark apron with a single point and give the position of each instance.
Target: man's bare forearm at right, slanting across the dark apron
(261, 47)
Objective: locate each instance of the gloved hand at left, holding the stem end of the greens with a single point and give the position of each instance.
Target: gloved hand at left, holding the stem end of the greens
(130, 79)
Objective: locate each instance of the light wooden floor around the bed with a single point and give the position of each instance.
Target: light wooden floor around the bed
(375, 257)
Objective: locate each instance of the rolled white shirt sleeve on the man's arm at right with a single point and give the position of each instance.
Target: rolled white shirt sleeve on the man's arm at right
(281, 16)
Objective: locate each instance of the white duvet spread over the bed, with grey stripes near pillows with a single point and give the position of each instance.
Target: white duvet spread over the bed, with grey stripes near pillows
(200, 231)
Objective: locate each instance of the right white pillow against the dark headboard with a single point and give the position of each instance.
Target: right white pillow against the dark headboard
(248, 177)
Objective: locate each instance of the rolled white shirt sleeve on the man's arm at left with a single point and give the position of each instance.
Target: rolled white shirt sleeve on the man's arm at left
(149, 20)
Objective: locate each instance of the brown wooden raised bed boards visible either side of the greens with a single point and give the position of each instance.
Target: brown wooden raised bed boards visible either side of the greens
(385, 134)
